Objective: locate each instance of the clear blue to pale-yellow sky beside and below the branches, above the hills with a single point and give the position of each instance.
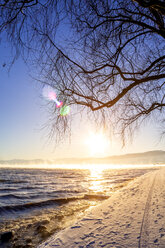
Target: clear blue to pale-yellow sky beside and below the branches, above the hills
(23, 113)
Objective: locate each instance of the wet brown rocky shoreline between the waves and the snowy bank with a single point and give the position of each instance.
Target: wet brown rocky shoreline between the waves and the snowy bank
(33, 230)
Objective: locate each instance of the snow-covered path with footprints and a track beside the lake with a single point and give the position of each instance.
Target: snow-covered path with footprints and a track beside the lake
(132, 217)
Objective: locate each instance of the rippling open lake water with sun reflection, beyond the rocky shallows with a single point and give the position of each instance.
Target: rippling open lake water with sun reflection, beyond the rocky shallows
(32, 189)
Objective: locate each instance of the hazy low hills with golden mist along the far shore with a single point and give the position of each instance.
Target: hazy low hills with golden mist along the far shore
(150, 157)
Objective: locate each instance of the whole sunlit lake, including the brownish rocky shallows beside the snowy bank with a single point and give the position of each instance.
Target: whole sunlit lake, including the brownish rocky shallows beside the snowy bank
(36, 203)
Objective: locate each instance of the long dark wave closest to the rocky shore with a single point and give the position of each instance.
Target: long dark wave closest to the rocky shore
(50, 202)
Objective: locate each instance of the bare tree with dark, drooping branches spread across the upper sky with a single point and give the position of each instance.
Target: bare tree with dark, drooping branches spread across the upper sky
(112, 63)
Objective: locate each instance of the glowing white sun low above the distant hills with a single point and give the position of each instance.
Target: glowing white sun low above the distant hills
(97, 143)
